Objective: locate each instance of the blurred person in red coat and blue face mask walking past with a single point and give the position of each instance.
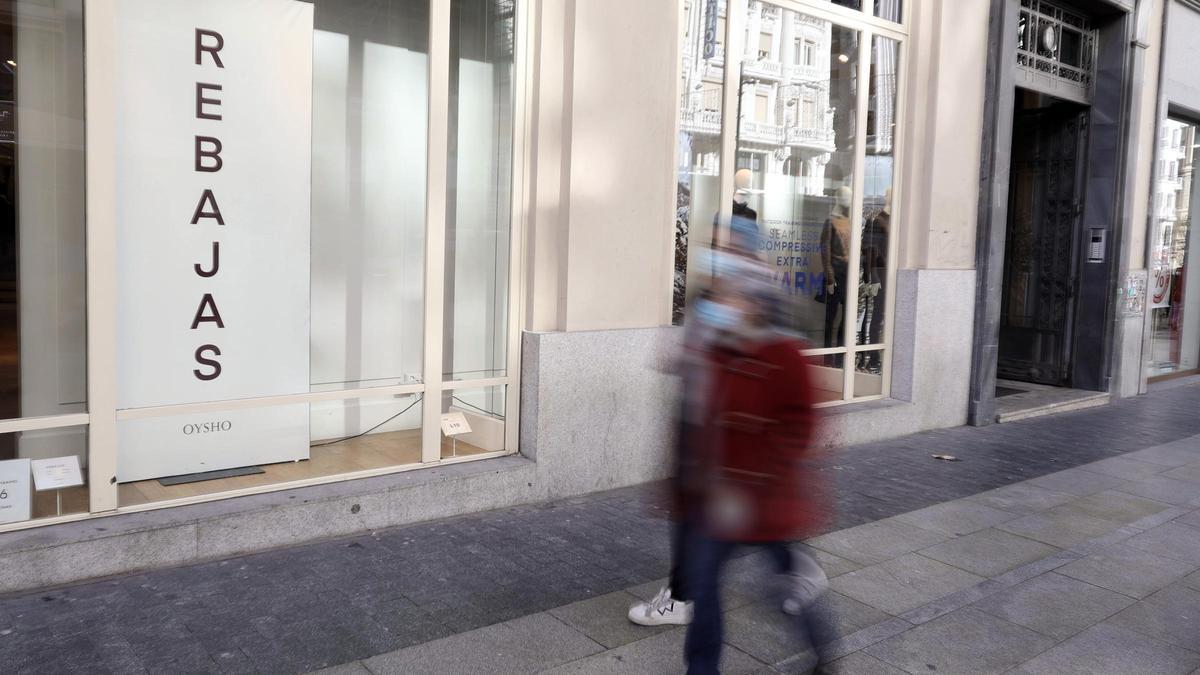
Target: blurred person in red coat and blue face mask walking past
(742, 459)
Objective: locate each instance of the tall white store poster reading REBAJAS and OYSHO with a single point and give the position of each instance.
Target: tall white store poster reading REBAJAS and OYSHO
(214, 107)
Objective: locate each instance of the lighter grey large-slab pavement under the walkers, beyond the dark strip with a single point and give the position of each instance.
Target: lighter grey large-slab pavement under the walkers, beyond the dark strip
(1090, 571)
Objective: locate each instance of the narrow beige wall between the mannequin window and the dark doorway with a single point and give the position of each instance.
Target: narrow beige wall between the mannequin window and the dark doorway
(946, 73)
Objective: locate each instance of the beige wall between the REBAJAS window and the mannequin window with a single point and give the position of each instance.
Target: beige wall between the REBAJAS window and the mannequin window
(602, 220)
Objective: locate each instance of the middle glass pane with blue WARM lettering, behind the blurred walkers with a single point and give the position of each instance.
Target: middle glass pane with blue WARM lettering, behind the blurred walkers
(796, 174)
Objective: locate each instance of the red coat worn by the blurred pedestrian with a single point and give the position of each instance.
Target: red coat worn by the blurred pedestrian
(747, 479)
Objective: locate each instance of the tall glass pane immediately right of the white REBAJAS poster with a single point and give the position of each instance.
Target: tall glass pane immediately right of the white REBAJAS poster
(370, 99)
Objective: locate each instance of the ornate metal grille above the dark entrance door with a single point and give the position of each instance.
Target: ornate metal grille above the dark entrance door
(1055, 51)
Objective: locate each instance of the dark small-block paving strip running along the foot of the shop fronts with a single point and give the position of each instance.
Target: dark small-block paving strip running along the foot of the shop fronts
(334, 602)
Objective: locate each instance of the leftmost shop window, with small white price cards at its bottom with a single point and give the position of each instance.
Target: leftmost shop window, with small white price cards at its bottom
(44, 363)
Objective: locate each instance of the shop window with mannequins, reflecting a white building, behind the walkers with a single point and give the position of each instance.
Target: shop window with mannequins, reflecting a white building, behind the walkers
(830, 241)
